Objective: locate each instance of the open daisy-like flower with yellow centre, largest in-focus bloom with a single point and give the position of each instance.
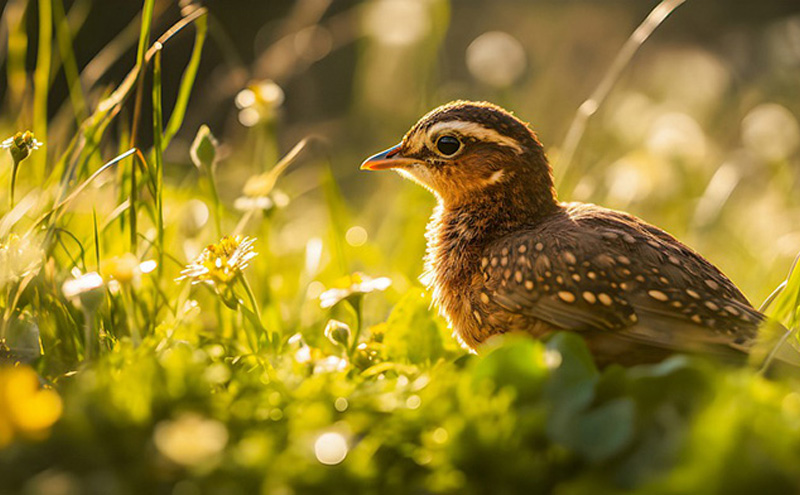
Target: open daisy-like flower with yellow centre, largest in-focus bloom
(219, 264)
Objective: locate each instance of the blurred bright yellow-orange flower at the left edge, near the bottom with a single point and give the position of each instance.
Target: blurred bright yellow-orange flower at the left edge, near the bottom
(26, 410)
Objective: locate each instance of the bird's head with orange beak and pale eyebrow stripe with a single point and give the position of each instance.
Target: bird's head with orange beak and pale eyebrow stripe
(465, 150)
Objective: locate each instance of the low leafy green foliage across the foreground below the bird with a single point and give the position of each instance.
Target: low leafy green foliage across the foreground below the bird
(525, 418)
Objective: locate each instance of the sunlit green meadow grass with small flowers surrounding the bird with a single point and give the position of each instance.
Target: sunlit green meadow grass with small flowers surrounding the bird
(135, 362)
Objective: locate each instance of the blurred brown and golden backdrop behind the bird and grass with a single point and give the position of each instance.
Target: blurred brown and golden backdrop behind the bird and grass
(699, 135)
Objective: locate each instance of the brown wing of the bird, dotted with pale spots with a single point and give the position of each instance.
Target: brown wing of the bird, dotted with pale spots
(594, 269)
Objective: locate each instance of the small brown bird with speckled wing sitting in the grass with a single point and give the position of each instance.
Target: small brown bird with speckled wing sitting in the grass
(505, 255)
